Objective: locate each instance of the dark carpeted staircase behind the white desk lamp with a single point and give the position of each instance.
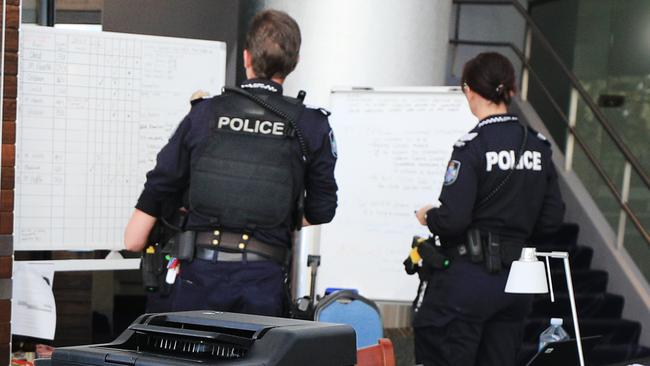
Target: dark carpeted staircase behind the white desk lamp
(599, 311)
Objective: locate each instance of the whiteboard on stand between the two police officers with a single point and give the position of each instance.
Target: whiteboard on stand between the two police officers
(393, 150)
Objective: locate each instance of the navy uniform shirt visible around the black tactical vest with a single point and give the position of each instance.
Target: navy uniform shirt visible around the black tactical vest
(170, 177)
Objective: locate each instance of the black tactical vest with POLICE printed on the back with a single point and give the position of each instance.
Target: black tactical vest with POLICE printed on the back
(249, 173)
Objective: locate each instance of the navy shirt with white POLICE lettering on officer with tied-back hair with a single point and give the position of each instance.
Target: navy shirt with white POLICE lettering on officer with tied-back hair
(528, 204)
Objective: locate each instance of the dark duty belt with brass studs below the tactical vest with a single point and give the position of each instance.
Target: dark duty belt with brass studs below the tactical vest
(231, 246)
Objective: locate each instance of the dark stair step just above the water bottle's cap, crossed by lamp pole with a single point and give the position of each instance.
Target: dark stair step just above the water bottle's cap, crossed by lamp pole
(602, 305)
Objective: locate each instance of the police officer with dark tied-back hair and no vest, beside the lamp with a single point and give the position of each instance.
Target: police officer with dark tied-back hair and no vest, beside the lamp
(500, 189)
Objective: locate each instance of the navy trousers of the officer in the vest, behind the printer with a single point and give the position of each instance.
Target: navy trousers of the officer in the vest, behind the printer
(251, 287)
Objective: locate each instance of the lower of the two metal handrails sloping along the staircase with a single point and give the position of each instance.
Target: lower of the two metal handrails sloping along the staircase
(590, 156)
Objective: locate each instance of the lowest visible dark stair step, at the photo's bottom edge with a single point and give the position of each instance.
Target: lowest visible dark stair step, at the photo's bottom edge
(601, 355)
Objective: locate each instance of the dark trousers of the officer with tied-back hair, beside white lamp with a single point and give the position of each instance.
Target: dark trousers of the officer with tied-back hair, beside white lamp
(467, 319)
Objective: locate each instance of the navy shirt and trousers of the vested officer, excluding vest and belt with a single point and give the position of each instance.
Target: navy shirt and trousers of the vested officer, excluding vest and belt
(217, 285)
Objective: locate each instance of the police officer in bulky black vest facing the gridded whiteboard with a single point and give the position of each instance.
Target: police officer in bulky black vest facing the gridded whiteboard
(252, 165)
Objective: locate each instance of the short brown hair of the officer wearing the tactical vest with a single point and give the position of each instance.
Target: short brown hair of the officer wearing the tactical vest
(273, 42)
